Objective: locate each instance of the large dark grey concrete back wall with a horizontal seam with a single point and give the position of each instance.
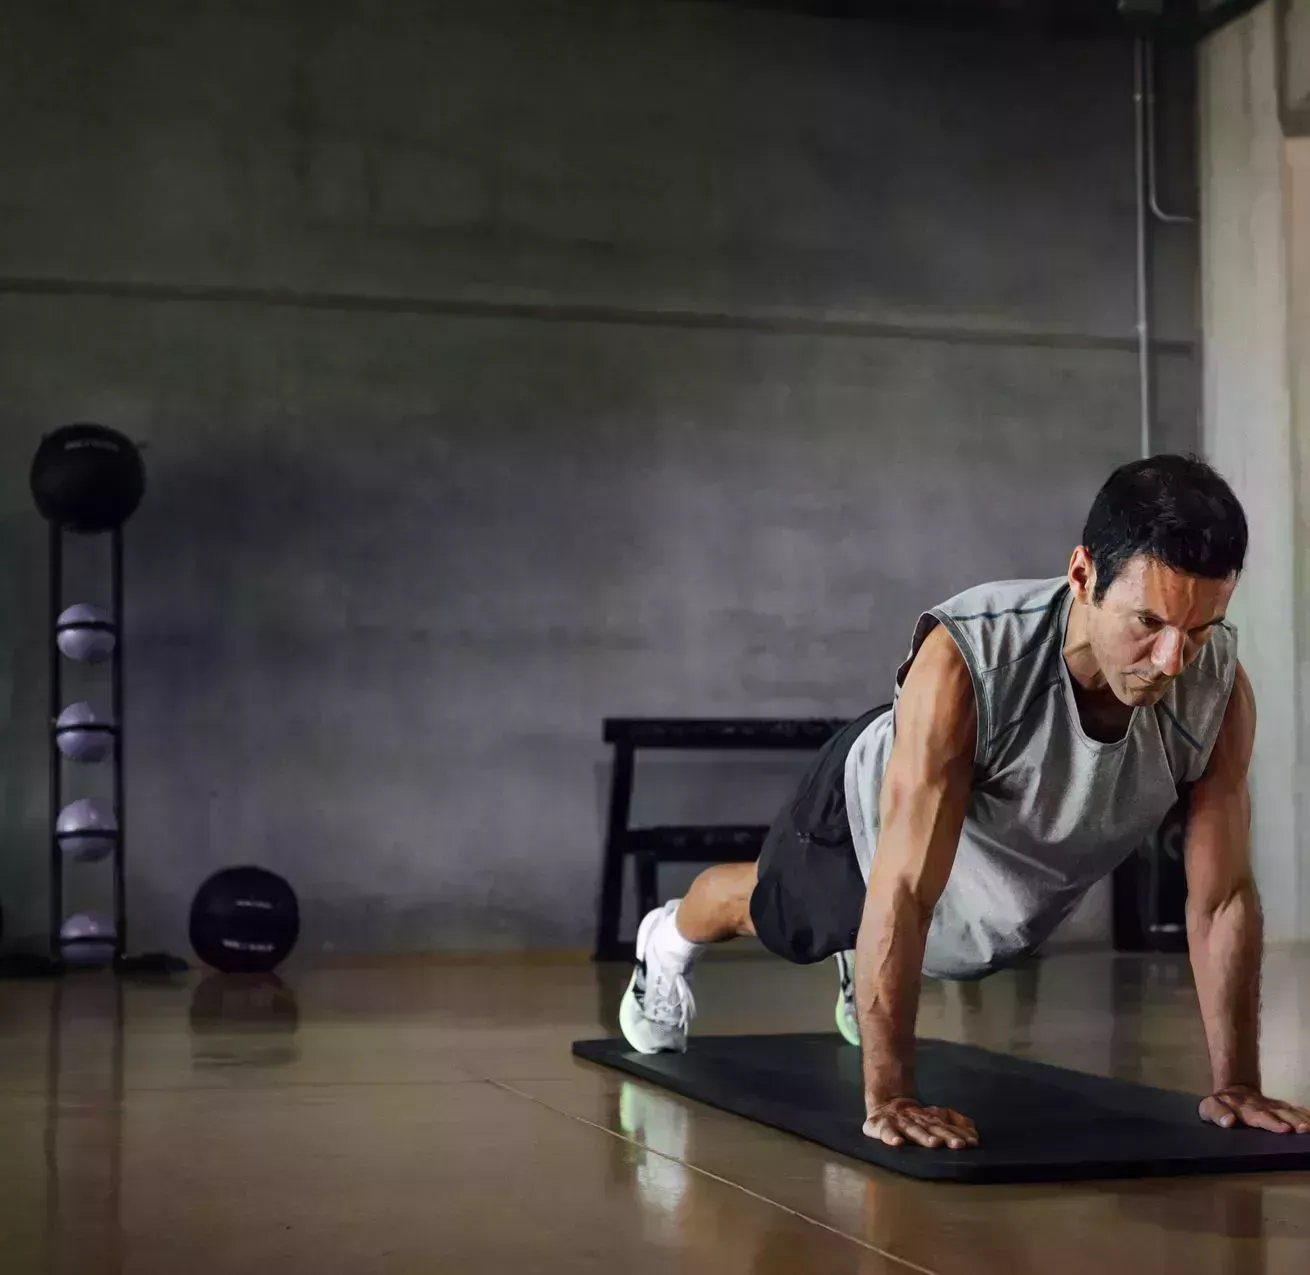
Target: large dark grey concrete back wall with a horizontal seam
(510, 365)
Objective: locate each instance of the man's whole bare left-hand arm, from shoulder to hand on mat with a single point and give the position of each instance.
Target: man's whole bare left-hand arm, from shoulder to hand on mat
(923, 804)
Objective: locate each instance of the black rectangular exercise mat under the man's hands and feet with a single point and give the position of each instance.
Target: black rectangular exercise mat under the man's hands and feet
(1037, 1124)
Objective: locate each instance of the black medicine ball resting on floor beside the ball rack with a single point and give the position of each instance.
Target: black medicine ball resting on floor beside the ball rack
(246, 921)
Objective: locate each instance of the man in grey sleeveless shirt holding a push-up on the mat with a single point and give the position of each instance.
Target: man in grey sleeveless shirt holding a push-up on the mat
(1041, 733)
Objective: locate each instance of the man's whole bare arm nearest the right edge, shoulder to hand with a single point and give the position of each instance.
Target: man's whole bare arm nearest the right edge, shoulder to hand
(1226, 930)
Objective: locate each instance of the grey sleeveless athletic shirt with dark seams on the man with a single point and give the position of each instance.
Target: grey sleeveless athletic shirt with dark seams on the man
(1053, 810)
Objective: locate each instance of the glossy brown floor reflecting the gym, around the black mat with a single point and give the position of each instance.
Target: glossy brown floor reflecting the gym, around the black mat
(429, 1118)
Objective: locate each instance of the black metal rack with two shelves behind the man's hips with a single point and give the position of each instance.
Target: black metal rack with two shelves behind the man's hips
(682, 843)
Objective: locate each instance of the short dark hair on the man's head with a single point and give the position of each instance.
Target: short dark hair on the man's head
(1173, 509)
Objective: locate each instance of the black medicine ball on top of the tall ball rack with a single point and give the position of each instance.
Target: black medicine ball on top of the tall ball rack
(88, 478)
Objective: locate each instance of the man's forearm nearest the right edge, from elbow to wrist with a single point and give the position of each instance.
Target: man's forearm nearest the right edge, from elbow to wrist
(1227, 947)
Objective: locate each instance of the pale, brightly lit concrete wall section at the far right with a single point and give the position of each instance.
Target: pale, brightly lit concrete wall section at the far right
(1256, 250)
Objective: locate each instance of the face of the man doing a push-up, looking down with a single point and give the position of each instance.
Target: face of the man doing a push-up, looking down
(1151, 626)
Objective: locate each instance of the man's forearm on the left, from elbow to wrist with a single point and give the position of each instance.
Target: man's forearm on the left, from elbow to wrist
(889, 964)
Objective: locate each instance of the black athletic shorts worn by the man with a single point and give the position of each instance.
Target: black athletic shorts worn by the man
(810, 896)
